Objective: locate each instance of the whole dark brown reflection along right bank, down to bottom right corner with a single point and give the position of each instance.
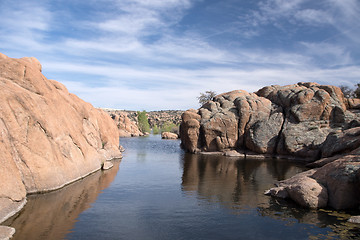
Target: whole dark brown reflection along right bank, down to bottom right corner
(239, 184)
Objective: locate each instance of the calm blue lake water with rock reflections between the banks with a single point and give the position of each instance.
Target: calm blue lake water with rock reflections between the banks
(159, 192)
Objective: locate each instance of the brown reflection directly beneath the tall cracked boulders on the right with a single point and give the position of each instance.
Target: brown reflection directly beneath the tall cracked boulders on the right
(233, 181)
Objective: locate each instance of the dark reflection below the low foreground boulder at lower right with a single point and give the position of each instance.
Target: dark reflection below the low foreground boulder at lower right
(290, 212)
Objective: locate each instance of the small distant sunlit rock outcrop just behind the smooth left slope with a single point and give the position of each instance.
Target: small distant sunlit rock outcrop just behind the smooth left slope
(127, 126)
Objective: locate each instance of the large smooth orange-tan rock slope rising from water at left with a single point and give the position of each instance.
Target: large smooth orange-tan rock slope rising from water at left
(48, 136)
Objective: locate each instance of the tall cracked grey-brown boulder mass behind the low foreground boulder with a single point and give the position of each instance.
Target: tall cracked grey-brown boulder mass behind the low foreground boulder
(294, 120)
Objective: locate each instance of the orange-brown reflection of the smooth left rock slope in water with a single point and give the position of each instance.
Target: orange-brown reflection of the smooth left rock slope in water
(53, 215)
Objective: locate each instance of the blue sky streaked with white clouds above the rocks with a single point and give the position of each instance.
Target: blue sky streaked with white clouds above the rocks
(161, 54)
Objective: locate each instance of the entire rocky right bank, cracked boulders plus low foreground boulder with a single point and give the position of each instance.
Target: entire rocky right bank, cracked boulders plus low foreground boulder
(307, 121)
